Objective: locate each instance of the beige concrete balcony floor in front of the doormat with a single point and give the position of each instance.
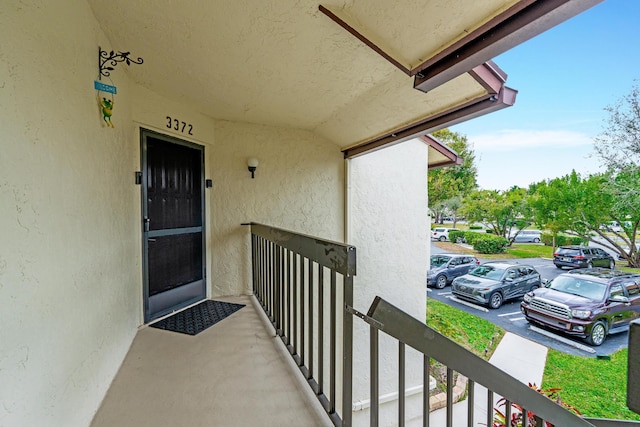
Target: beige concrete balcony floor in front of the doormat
(235, 373)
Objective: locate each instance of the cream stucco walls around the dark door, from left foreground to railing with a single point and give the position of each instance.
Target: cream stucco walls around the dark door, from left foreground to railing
(70, 252)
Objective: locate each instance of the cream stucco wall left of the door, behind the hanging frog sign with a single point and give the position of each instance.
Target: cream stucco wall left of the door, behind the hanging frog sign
(69, 271)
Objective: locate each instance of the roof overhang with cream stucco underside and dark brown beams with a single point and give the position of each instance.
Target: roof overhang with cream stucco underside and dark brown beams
(393, 71)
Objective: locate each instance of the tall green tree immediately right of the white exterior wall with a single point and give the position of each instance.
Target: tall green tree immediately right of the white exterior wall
(446, 185)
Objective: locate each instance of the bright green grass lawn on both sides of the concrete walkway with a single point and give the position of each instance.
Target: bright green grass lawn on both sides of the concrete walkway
(596, 387)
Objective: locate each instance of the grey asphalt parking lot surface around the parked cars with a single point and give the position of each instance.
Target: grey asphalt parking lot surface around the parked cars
(509, 317)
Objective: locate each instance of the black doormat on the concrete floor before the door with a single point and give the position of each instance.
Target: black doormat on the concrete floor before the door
(196, 319)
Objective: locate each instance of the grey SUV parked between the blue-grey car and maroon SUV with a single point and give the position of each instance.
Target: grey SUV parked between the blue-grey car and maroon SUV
(492, 283)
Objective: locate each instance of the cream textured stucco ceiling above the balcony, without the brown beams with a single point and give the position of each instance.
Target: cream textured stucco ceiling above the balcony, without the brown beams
(285, 63)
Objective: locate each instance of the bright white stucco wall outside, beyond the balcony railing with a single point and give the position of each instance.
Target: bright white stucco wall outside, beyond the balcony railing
(389, 226)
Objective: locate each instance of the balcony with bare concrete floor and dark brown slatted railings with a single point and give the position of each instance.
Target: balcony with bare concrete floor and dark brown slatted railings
(284, 360)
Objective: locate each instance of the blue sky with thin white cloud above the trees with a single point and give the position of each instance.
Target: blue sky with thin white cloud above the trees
(565, 78)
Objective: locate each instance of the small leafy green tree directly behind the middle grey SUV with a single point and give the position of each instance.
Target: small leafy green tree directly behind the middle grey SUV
(503, 212)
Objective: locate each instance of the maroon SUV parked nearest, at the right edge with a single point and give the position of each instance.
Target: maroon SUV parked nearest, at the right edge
(588, 304)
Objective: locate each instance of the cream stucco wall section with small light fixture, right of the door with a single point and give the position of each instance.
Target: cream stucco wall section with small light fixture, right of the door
(298, 186)
